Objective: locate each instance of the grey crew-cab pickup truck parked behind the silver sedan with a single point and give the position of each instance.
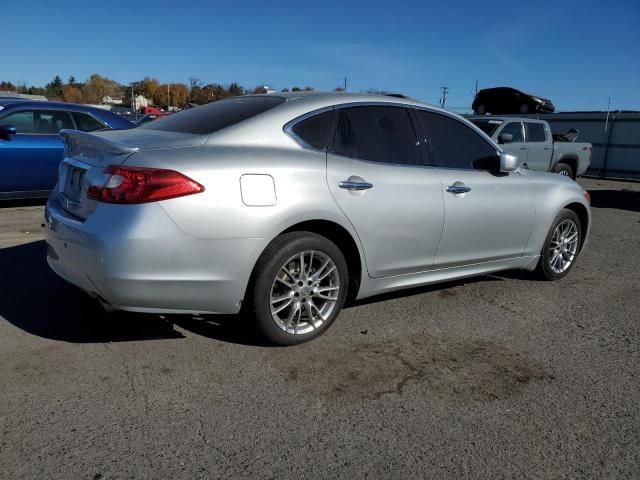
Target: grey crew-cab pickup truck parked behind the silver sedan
(534, 144)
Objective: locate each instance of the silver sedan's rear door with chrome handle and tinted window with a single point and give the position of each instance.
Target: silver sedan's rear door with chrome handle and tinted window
(376, 175)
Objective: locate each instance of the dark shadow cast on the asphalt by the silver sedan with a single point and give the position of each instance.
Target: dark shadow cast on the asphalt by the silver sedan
(36, 300)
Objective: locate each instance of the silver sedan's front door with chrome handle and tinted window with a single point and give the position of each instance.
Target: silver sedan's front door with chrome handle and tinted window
(488, 214)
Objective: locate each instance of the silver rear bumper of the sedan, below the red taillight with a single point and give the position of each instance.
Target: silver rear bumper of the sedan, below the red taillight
(134, 257)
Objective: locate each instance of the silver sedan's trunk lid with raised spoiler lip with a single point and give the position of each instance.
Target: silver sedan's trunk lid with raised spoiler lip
(87, 154)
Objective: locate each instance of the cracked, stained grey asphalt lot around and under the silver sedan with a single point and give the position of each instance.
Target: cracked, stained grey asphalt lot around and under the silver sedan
(501, 376)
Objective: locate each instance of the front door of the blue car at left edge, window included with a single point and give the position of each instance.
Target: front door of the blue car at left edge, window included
(29, 159)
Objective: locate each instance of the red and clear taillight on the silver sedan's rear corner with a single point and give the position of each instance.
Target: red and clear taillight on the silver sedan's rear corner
(141, 185)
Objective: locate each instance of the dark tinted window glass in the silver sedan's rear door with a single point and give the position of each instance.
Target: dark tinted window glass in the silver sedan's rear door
(376, 134)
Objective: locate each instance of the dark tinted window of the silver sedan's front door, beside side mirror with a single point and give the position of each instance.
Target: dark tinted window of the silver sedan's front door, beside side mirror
(452, 144)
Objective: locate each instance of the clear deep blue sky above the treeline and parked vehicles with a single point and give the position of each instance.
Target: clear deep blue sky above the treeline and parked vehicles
(576, 53)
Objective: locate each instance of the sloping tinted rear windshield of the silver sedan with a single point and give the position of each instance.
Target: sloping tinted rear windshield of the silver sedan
(215, 116)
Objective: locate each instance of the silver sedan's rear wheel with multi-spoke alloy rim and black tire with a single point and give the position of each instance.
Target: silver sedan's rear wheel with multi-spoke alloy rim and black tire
(297, 288)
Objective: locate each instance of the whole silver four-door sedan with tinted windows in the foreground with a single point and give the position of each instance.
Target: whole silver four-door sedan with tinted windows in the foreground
(283, 206)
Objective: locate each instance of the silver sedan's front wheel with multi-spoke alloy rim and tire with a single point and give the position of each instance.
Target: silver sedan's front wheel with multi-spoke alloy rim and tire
(561, 246)
